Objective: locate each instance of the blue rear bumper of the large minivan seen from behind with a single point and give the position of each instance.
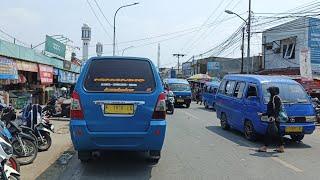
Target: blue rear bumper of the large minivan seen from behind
(85, 140)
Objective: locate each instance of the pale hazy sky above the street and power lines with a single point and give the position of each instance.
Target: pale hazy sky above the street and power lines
(180, 26)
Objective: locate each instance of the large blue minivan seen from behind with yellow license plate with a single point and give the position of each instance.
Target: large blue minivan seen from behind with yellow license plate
(118, 104)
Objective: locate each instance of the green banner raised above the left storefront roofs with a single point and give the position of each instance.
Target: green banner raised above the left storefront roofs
(55, 47)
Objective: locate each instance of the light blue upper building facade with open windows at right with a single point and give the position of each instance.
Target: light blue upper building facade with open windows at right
(293, 45)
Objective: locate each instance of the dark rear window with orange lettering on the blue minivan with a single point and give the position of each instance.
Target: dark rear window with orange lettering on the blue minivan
(120, 76)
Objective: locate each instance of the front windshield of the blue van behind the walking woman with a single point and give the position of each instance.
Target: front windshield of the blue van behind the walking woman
(289, 93)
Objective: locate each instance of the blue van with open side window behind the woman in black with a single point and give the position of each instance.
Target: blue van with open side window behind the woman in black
(241, 98)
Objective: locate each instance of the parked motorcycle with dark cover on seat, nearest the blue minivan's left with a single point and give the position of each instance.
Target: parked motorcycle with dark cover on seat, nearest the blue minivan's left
(38, 126)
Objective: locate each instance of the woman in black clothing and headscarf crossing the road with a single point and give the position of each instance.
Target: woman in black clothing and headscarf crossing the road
(273, 131)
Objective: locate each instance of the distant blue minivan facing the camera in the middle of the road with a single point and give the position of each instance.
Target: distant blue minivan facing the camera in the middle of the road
(181, 90)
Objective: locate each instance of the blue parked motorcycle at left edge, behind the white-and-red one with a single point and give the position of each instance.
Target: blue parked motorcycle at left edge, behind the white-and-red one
(24, 145)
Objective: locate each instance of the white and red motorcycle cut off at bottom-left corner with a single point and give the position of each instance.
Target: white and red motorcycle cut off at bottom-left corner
(8, 165)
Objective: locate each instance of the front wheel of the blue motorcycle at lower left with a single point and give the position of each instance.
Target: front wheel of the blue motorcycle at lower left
(31, 151)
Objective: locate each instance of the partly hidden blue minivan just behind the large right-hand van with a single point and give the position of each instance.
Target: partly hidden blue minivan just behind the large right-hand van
(209, 94)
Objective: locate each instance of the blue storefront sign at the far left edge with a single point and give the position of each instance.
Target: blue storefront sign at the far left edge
(8, 69)
